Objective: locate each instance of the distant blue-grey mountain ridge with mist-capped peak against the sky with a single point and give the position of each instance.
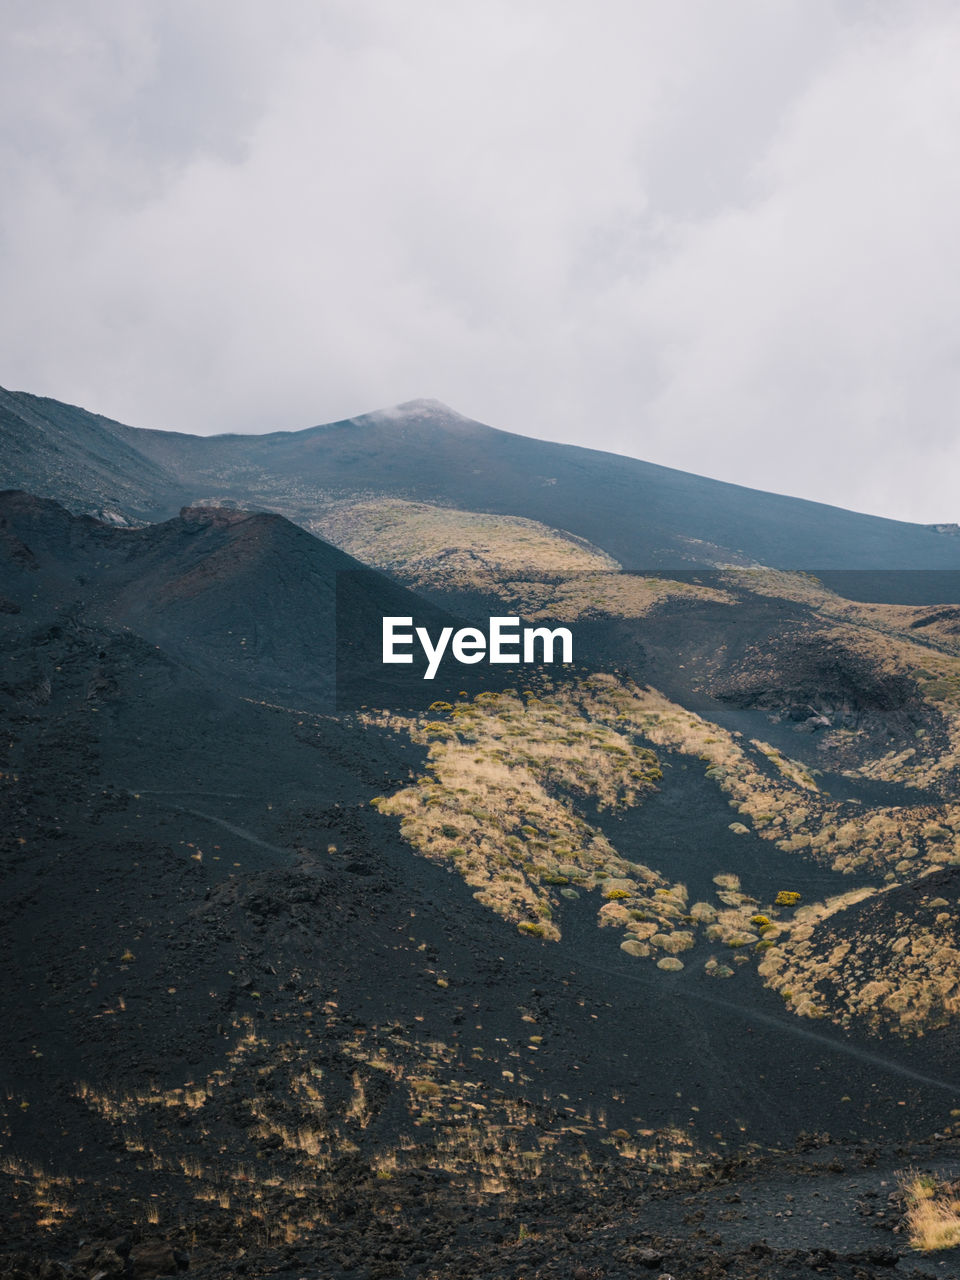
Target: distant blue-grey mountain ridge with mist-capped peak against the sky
(644, 515)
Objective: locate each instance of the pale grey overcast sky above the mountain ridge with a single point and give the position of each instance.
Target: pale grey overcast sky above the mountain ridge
(717, 236)
